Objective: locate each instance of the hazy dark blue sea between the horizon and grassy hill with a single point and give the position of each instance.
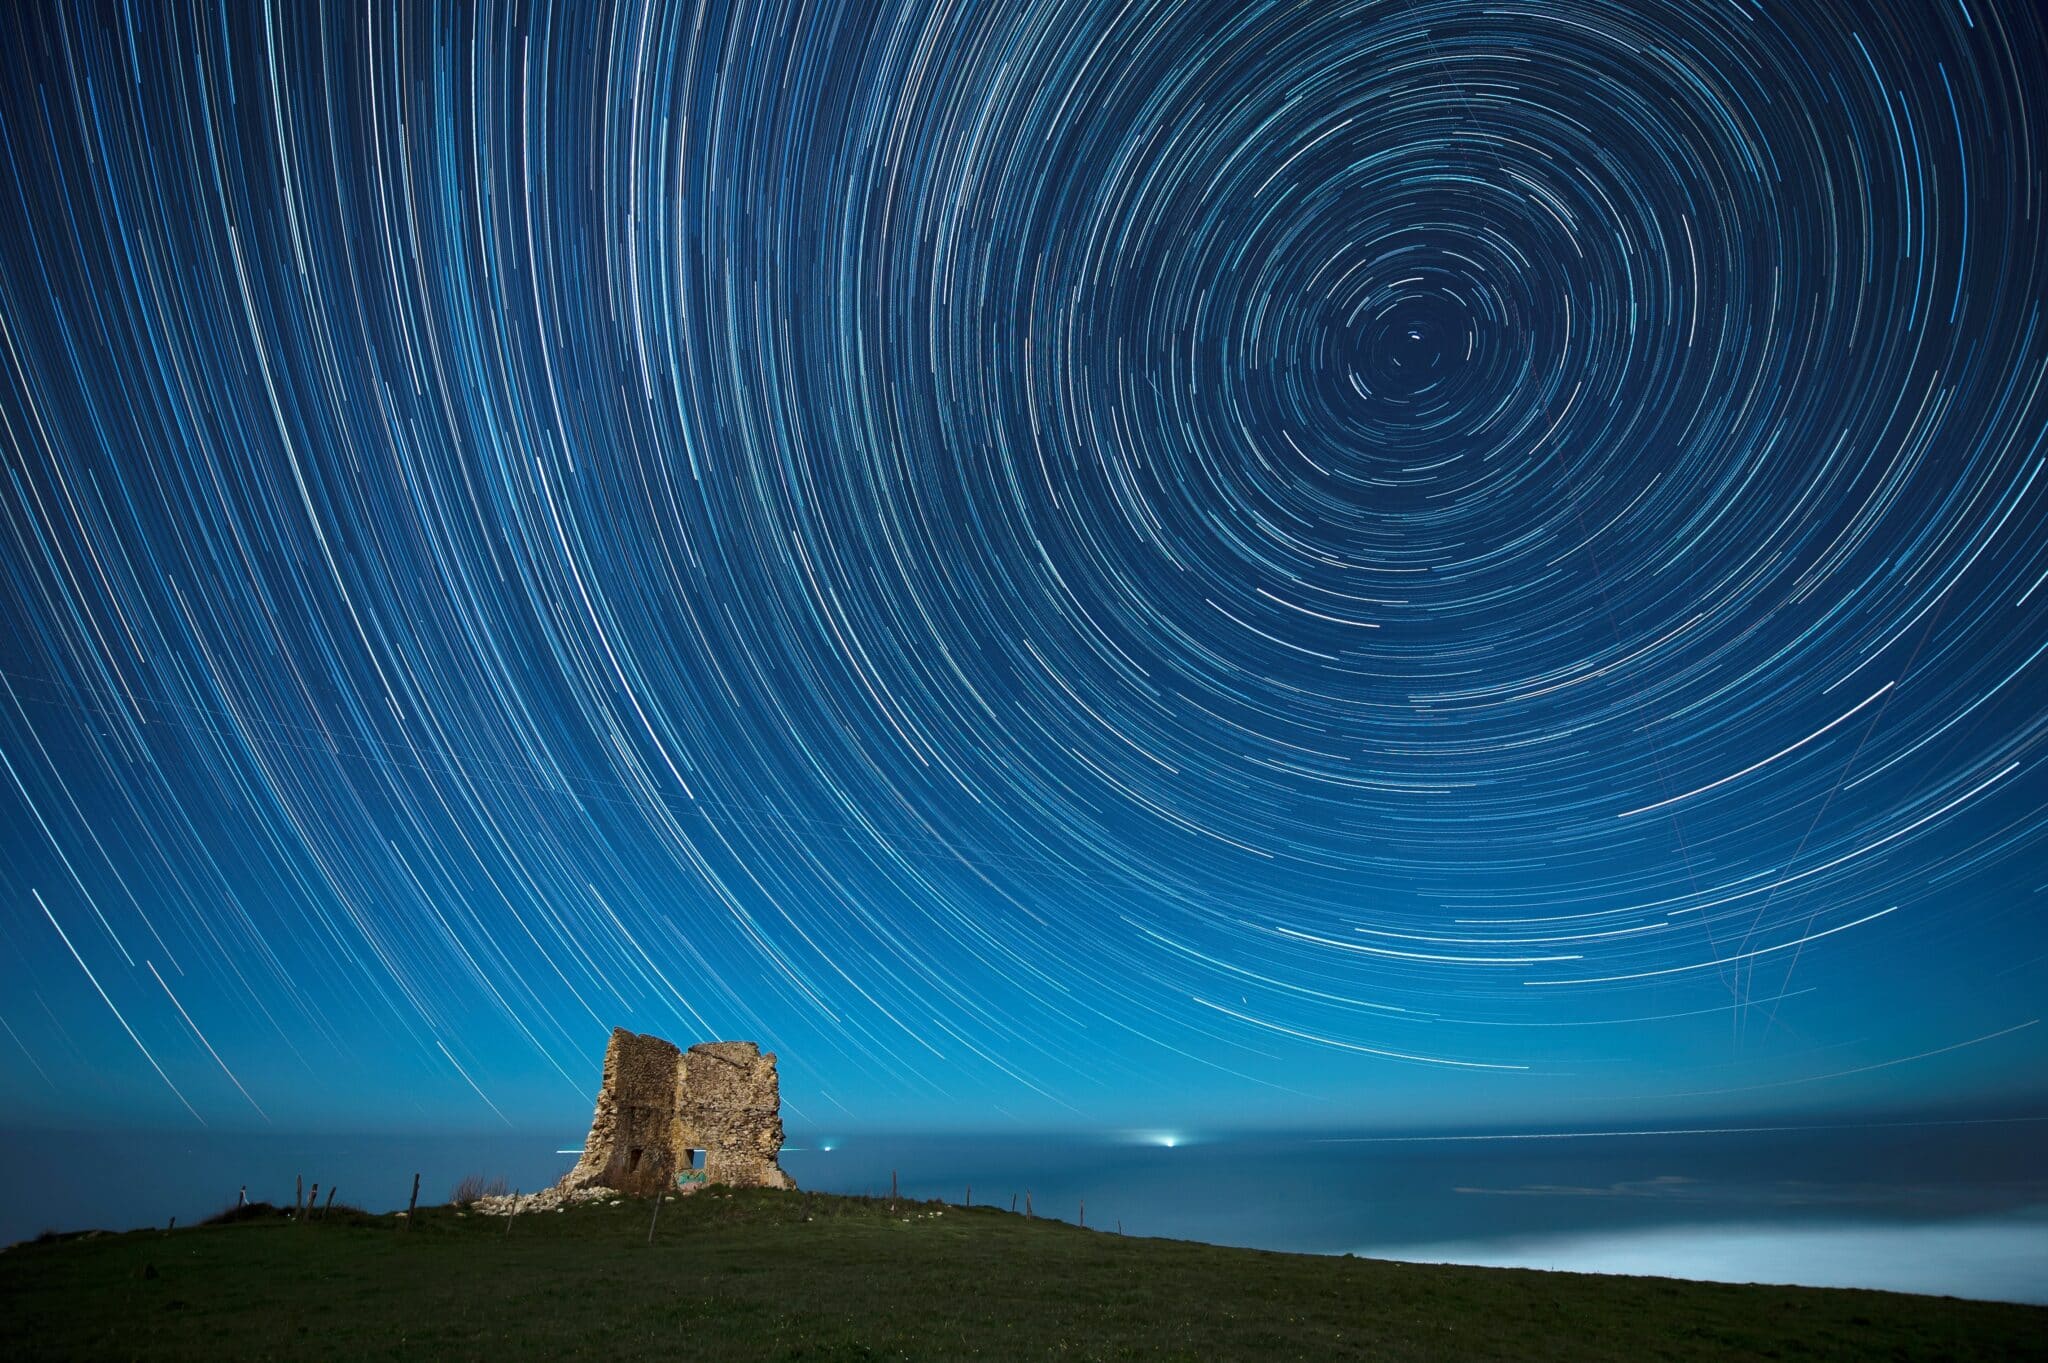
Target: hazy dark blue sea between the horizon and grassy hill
(1938, 1208)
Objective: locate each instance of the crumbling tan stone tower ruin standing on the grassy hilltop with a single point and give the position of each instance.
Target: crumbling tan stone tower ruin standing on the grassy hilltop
(660, 1106)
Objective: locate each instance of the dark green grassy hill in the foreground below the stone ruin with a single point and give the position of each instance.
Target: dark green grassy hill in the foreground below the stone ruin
(790, 1276)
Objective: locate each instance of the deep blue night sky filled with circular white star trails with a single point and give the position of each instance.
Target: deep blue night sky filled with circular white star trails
(1089, 566)
